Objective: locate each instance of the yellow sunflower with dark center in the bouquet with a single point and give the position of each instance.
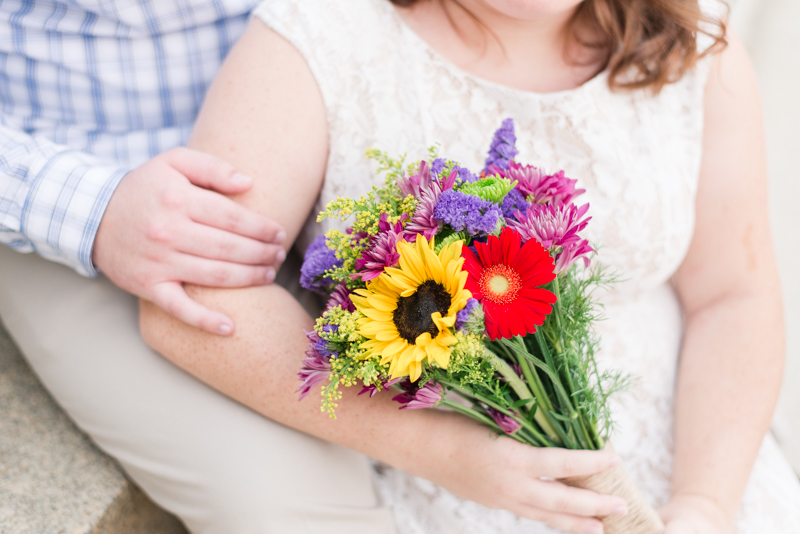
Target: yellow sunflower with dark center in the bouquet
(409, 310)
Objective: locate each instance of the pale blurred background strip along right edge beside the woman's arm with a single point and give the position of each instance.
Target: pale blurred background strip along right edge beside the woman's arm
(770, 30)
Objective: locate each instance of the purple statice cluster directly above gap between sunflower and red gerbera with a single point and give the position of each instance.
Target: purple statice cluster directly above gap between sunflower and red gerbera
(467, 212)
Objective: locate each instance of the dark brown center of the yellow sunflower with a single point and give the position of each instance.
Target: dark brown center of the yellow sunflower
(413, 314)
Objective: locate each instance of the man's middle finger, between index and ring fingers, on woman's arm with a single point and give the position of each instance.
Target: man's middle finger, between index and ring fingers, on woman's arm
(211, 243)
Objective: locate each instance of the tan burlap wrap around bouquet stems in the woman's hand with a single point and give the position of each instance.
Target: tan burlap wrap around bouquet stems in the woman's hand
(641, 517)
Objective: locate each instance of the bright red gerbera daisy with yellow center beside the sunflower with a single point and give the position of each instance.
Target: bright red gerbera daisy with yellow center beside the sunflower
(506, 277)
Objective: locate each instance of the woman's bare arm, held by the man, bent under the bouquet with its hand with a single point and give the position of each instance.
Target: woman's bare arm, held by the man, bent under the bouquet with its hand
(264, 114)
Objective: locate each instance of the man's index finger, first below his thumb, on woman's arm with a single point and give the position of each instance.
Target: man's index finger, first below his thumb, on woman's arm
(220, 212)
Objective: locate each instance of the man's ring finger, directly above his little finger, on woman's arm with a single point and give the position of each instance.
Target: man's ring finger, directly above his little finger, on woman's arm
(214, 273)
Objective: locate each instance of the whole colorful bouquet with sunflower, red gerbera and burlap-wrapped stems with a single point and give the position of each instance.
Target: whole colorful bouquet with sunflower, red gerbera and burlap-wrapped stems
(473, 293)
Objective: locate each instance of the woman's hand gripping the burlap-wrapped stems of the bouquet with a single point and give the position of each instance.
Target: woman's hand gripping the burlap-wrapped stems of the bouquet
(503, 473)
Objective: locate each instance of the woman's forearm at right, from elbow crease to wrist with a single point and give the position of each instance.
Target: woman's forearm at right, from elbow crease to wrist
(728, 383)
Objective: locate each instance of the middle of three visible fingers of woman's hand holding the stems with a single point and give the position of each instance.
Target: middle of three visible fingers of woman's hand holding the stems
(559, 498)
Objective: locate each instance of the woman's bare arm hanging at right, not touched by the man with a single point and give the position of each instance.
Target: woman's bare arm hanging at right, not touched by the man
(732, 359)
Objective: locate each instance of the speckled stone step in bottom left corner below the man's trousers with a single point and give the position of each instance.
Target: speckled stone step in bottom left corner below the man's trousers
(53, 480)
